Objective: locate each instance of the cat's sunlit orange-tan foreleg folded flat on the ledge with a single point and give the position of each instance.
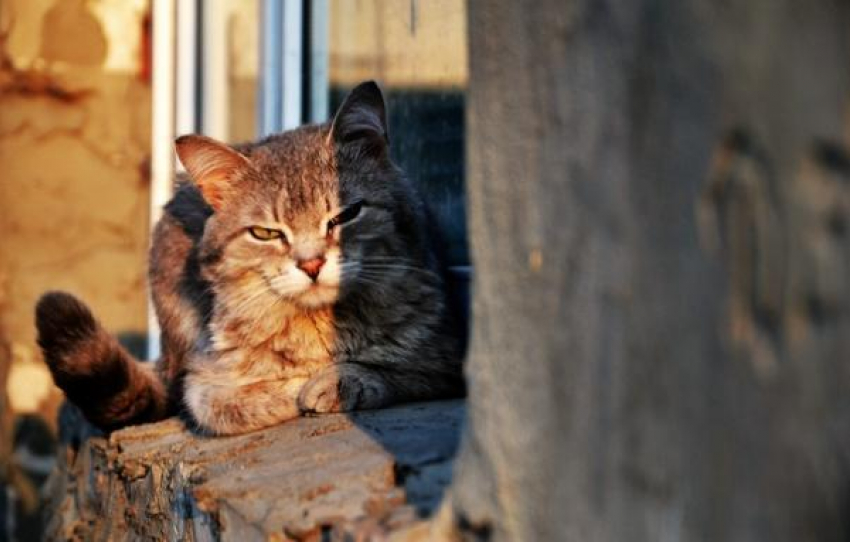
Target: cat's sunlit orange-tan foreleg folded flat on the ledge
(228, 408)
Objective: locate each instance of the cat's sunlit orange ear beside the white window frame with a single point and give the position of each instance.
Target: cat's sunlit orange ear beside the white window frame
(211, 165)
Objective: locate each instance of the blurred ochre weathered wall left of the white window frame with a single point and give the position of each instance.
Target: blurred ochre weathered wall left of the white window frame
(74, 139)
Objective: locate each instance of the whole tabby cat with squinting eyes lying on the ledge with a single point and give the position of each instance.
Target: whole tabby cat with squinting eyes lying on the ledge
(297, 274)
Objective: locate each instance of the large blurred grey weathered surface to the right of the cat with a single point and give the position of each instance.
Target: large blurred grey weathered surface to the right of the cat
(659, 201)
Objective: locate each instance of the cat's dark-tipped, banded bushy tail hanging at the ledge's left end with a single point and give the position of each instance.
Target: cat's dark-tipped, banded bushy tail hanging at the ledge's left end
(95, 372)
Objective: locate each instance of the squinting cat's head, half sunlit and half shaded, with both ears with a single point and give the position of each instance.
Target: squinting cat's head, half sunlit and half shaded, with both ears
(296, 215)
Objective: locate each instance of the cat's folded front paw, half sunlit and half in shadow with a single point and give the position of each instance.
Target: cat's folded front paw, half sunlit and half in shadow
(342, 388)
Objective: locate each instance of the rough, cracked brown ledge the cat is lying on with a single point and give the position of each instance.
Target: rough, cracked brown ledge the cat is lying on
(362, 475)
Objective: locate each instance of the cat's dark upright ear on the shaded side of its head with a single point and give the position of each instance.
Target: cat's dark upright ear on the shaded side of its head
(362, 117)
